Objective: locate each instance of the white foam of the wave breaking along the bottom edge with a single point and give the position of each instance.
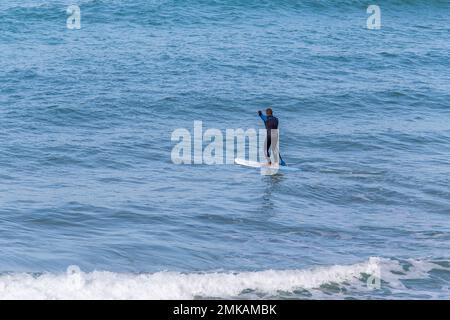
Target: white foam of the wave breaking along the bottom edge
(75, 284)
